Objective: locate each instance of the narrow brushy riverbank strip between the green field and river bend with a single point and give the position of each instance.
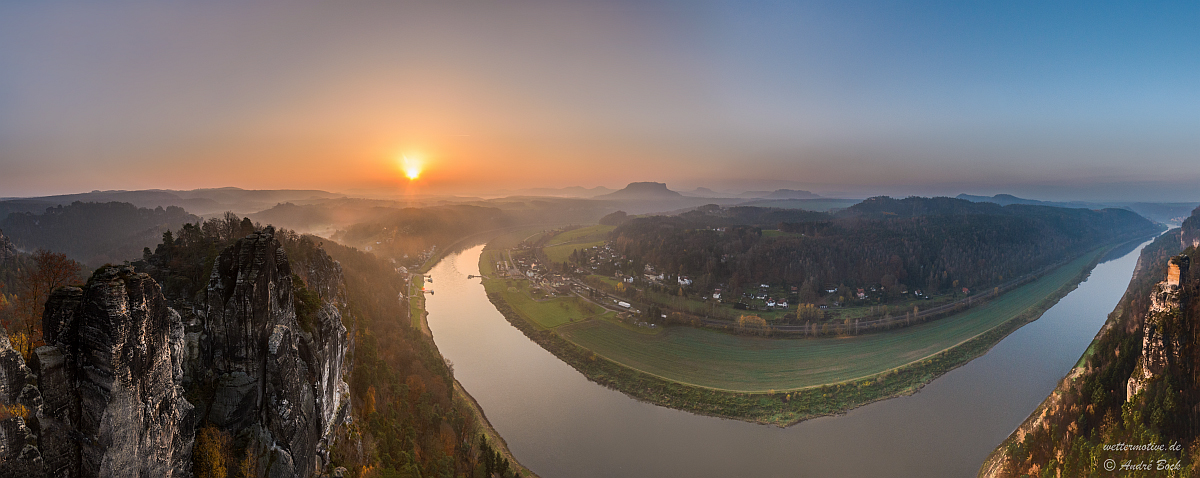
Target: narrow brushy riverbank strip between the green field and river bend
(787, 407)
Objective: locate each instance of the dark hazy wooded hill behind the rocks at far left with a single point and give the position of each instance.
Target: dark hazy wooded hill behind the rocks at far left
(94, 234)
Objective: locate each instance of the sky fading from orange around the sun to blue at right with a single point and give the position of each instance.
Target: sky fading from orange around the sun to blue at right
(1094, 100)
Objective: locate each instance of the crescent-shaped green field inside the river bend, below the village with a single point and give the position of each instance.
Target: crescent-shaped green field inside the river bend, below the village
(719, 361)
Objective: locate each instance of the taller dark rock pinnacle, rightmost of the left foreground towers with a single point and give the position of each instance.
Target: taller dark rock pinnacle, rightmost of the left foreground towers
(273, 374)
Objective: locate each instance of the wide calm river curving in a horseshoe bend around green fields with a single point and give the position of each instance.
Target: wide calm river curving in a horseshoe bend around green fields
(560, 425)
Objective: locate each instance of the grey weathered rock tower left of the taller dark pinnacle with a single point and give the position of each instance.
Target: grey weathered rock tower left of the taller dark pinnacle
(111, 380)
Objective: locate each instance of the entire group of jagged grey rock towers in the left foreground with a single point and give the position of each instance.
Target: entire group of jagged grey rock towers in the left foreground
(127, 381)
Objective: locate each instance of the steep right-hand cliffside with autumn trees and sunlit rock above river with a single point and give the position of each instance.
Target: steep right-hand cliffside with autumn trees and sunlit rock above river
(1138, 385)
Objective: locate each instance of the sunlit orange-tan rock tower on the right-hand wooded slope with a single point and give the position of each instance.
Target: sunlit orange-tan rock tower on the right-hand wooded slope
(1161, 349)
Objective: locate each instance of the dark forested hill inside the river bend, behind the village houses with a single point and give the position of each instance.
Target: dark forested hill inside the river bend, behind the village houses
(935, 244)
